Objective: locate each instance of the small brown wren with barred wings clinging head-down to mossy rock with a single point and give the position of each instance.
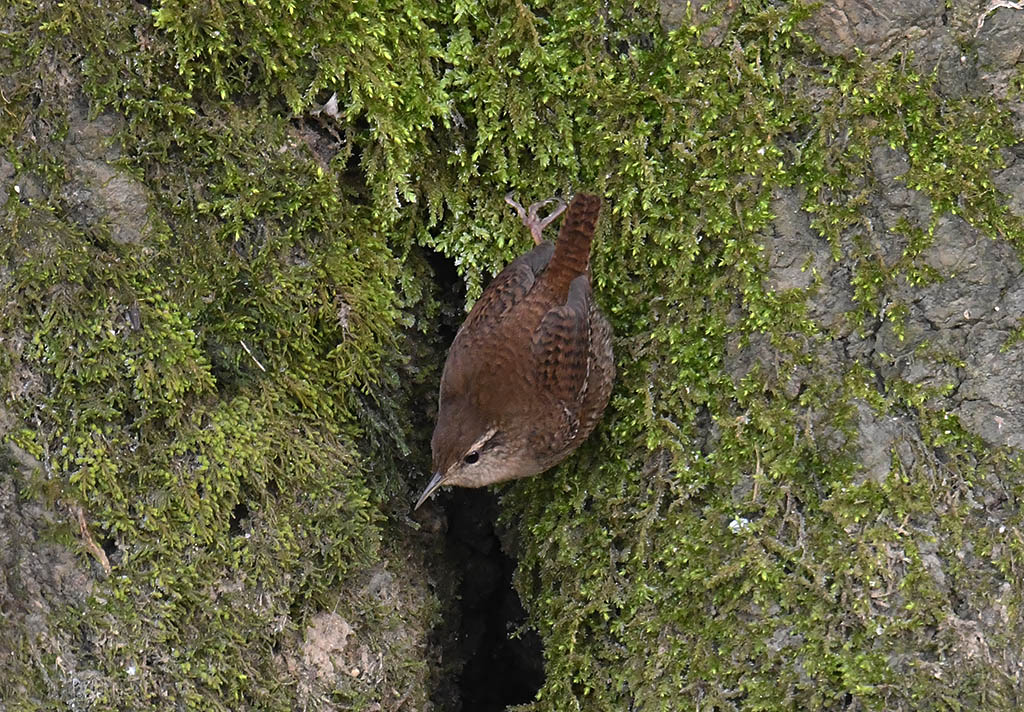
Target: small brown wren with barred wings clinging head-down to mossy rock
(531, 369)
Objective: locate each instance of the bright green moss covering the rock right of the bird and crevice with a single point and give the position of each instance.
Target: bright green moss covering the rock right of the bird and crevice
(757, 572)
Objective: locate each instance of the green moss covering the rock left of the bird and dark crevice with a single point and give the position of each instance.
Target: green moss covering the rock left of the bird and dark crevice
(216, 396)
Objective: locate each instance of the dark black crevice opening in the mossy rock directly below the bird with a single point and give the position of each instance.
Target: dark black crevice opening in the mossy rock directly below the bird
(500, 671)
